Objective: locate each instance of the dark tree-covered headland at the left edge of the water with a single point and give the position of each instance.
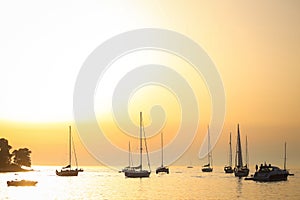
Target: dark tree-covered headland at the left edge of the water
(15, 161)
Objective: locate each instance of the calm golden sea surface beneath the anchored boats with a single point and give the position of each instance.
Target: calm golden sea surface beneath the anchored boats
(181, 183)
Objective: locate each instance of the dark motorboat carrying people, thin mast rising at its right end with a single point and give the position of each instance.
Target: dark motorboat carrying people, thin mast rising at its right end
(269, 172)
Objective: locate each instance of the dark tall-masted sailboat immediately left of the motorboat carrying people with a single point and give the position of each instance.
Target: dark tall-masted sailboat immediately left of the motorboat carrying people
(240, 170)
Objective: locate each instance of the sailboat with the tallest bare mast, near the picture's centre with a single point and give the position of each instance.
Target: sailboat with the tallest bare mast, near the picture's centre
(138, 172)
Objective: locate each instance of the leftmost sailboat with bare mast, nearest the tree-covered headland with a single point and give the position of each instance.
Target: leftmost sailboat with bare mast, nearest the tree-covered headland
(67, 170)
